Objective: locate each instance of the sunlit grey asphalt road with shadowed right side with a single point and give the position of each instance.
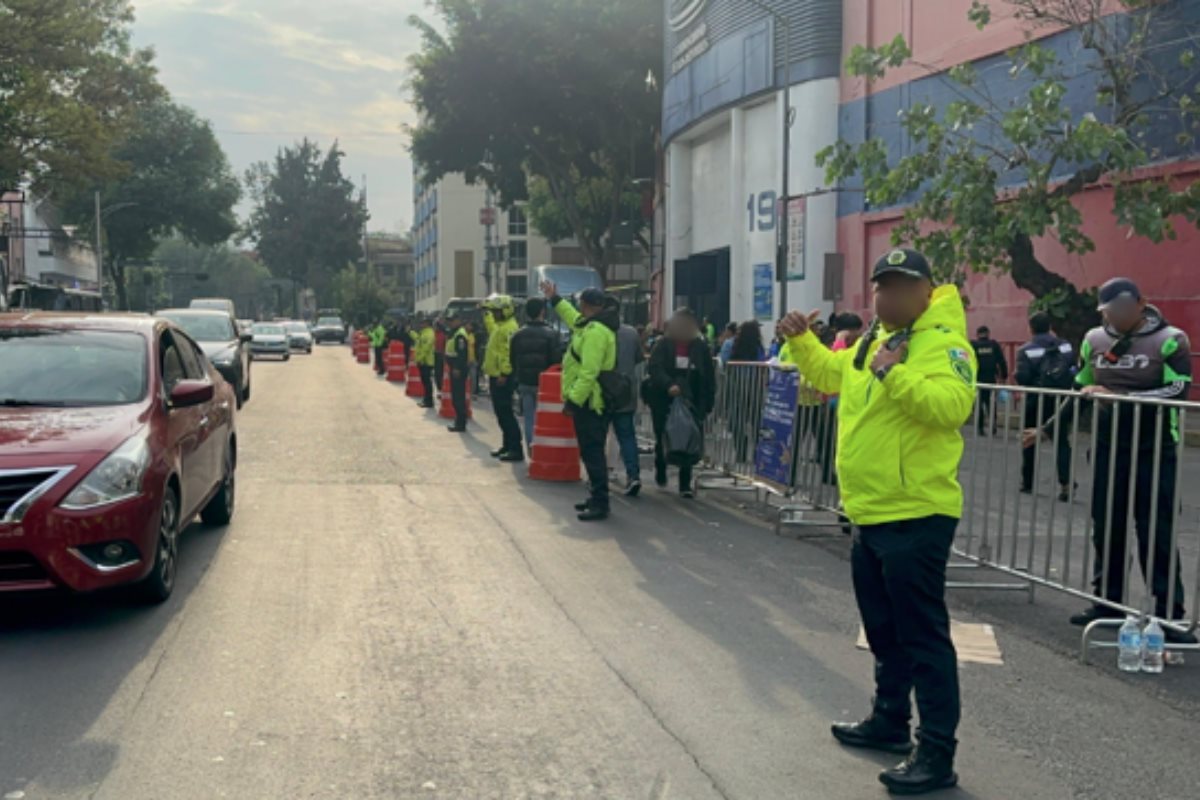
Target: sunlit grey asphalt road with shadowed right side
(394, 615)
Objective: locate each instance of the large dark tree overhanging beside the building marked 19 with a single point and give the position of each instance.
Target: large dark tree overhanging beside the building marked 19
(530, 98)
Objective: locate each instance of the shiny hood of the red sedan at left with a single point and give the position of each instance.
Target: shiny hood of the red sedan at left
(31, 432)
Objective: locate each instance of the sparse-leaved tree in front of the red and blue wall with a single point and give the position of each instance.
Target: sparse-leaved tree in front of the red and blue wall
(991, 176)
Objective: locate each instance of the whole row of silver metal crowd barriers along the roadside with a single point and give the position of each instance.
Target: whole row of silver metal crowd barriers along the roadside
(1030, 539)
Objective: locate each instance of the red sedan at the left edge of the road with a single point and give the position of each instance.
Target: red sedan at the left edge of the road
(115, 434)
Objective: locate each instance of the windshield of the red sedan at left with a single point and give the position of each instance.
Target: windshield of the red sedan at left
(55, 368)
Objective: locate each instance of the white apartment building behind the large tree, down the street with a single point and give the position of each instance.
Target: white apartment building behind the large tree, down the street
(449, 244)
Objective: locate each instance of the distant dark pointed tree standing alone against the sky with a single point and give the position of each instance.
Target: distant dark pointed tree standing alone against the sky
(308, 219)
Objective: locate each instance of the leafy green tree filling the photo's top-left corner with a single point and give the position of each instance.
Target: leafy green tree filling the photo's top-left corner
(70, 86)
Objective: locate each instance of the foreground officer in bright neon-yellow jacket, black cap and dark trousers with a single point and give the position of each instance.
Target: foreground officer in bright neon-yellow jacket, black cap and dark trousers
(905, 394)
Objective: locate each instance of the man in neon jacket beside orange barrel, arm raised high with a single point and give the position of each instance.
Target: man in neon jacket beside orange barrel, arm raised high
(592, 351)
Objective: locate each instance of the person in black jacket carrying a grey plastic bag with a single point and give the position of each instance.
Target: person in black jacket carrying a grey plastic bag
(681, 365)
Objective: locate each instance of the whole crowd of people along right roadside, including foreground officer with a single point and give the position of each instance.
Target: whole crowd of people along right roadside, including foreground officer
(897, 396)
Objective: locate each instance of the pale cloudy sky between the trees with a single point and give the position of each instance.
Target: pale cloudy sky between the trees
(269, 73)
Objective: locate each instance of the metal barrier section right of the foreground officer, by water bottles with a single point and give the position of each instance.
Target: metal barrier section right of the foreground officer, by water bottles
(1111, 476)
